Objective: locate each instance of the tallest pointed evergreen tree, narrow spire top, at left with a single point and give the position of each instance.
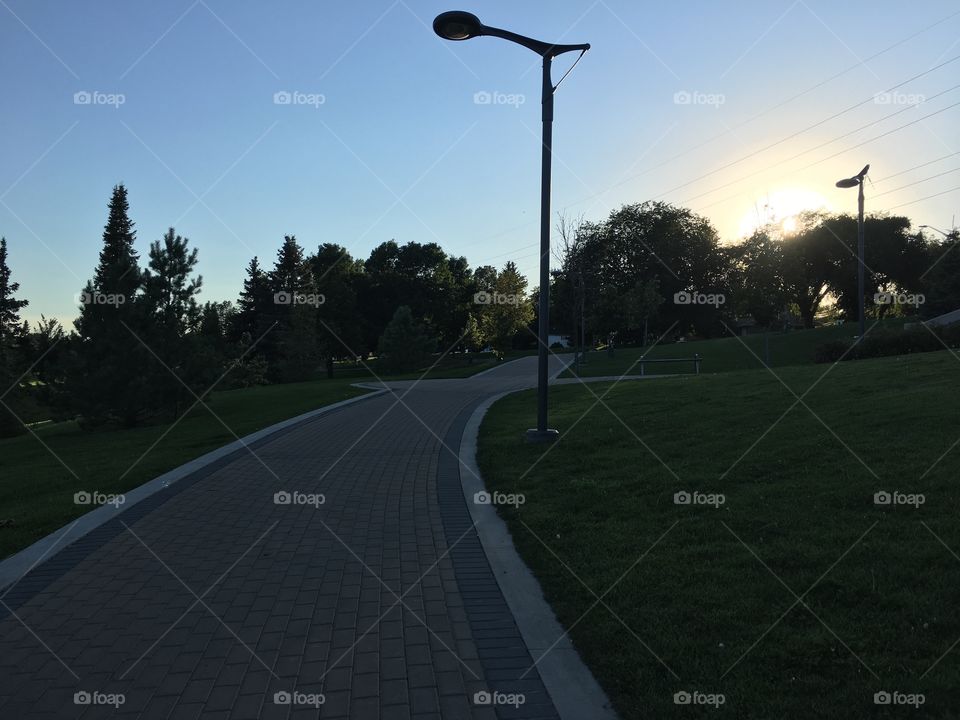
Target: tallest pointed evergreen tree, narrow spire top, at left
(107, 380)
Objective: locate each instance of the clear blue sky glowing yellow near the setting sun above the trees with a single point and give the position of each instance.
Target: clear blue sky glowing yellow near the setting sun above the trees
(399, 119)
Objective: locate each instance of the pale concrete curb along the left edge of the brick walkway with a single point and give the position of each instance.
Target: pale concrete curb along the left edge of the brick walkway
(15, 567)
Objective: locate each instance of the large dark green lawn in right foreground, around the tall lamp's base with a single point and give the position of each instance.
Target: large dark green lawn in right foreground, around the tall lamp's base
(709, 590)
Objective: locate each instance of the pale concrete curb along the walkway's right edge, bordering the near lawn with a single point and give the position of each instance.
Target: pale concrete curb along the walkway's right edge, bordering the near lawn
(572, 687)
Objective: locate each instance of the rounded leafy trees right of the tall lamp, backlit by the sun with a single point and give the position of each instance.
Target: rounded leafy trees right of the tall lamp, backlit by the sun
(654, 269)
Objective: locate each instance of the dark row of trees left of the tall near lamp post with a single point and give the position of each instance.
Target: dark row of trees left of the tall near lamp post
(145, 348)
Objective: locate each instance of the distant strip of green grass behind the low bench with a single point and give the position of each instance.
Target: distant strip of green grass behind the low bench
(795, 347)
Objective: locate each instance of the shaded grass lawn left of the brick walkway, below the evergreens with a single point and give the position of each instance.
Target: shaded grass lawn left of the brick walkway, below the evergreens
(36, 490)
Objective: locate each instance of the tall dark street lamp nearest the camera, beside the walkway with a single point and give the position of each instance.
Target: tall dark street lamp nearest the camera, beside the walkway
(458, 25)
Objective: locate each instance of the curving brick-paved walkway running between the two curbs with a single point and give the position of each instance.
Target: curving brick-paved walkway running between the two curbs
(211, 599)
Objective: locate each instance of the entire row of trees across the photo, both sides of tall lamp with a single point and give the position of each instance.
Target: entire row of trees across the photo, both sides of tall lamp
(144, 347)
